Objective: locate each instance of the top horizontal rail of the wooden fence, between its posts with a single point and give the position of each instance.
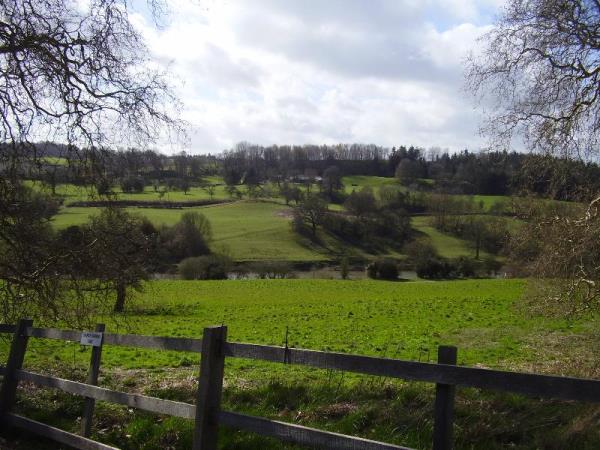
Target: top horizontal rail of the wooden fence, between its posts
(564, 388)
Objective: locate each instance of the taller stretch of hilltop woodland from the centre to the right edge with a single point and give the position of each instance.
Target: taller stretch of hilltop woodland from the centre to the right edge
(487, 173)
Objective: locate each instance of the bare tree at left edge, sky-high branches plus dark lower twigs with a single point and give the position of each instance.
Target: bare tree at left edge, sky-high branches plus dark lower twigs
(77, 73)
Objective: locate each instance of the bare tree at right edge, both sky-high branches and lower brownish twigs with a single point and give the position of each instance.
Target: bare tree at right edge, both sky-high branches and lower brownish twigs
(539, 76)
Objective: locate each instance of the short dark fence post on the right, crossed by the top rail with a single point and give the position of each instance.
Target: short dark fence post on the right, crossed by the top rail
(444, 404)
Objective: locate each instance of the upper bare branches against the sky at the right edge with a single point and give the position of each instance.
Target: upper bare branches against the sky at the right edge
(539, 76)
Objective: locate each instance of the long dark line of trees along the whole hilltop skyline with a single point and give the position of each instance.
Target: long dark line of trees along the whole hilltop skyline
(486, 173)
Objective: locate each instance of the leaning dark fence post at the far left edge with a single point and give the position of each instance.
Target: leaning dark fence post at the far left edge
(18, 346)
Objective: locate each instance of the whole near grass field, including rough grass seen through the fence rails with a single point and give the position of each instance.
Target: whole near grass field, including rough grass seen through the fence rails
(483, 318)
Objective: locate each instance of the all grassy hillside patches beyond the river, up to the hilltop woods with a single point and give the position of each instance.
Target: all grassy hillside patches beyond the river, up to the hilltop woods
(260, 230)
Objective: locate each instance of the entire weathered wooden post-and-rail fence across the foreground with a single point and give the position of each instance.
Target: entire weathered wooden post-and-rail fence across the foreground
(207, 413)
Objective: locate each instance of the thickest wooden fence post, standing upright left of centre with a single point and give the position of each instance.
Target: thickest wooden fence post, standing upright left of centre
(210, 388)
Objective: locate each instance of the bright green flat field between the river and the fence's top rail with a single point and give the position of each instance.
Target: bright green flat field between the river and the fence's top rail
(406, 320)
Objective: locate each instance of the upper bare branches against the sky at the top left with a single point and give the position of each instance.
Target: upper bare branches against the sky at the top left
(77, 75)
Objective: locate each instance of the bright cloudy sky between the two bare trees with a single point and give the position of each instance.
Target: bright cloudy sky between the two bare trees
(387, 72)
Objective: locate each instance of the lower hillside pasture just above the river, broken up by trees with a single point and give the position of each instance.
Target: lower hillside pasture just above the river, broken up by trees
(249, 230)
